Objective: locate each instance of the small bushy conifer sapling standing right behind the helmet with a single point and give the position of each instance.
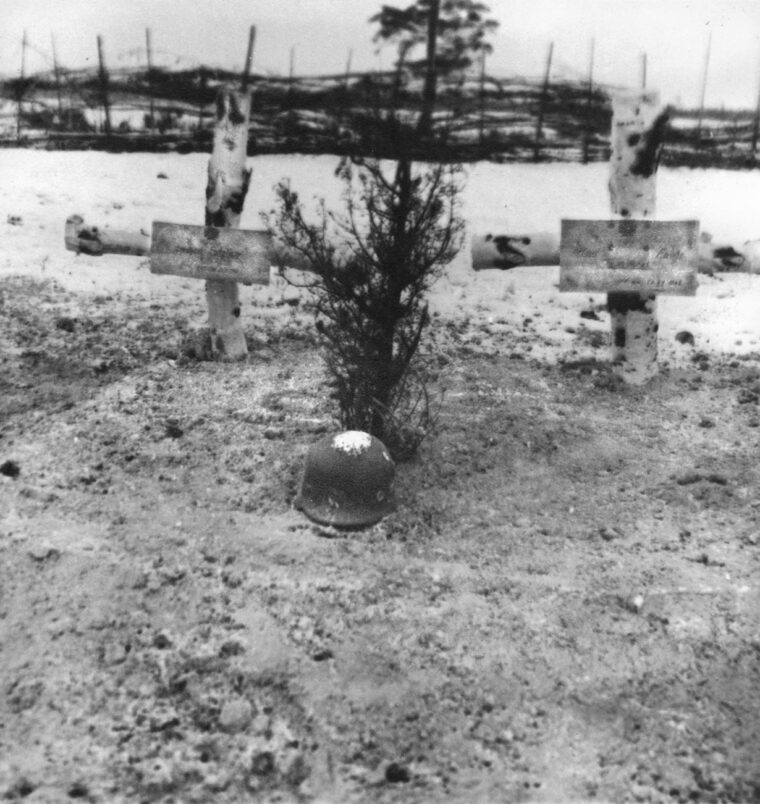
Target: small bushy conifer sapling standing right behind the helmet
(370, 270)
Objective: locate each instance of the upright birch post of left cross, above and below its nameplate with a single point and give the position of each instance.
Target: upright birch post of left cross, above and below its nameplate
(227, 187)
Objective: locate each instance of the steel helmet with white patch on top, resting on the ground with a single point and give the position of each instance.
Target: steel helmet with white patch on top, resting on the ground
(347, 481)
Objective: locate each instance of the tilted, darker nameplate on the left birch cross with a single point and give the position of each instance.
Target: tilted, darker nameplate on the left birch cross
(208, 252)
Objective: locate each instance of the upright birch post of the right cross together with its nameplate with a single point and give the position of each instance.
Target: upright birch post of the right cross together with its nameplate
(634, 257)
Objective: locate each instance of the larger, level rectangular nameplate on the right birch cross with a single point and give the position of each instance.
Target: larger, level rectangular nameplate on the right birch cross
(629, 255)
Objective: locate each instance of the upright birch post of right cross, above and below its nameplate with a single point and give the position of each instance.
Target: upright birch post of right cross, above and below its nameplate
(638, 126)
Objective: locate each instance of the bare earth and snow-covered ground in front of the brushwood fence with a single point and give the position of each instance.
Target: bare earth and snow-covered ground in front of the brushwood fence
(564, 608)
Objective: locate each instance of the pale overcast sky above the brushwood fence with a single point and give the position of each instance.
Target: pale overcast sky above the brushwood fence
(673, 34)
